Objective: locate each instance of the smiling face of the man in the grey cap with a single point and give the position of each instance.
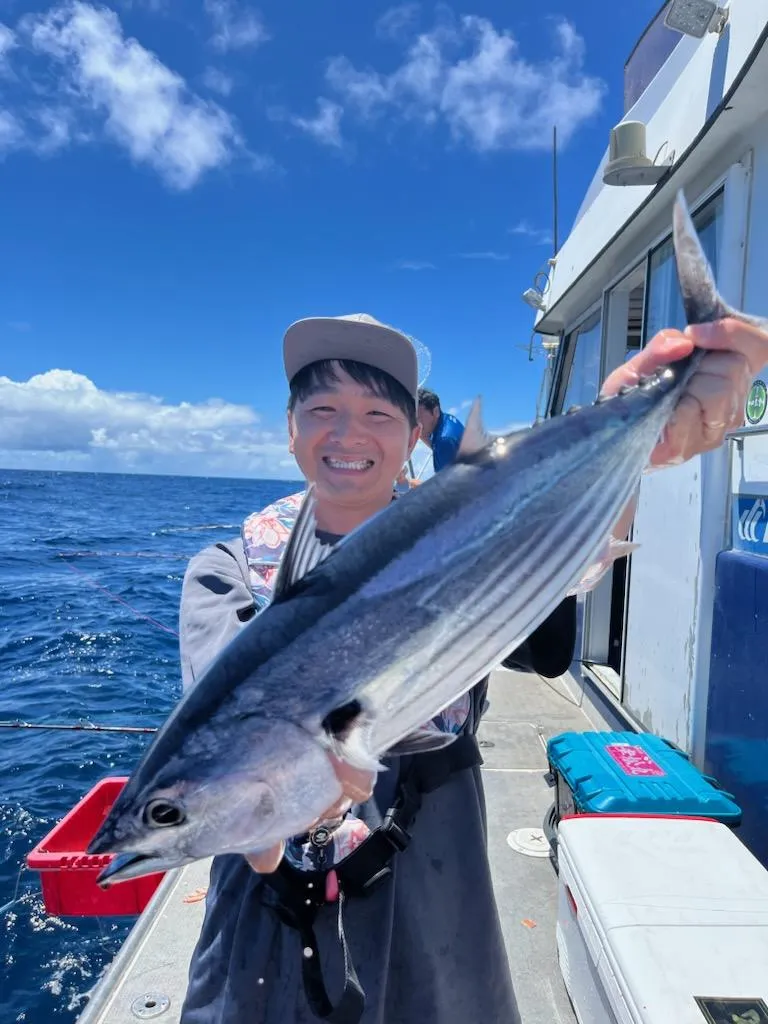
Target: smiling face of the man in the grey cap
(351, 443)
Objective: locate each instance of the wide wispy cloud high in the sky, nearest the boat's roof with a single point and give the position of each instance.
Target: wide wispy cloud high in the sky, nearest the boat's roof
(473, 77)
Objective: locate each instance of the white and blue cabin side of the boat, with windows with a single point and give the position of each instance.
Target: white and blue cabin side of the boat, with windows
(677, 638)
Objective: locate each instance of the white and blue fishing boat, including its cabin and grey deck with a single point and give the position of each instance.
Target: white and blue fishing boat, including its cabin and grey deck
(674, 642)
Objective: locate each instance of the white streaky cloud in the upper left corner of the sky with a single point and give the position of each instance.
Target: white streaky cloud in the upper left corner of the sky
(84, 81)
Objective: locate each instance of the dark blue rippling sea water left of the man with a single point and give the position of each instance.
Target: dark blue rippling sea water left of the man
(70, 652)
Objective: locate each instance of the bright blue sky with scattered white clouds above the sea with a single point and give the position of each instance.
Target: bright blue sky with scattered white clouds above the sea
(184, 179)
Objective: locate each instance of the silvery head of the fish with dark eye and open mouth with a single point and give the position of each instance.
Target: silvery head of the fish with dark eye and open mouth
(264, 787)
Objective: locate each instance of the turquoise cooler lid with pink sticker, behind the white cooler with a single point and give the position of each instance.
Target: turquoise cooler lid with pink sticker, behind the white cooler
(631, 774)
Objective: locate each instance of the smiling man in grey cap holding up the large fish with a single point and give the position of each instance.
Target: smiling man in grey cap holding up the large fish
(426, 944)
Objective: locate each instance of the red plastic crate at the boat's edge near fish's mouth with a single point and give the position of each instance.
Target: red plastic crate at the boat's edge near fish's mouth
(68, 874)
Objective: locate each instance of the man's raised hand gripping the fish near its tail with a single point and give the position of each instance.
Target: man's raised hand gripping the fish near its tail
(714, 401)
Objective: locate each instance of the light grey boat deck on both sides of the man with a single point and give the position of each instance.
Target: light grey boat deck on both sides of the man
(148, 978)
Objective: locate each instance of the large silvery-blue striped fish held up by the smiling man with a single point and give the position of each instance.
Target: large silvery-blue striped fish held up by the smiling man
(368, 639)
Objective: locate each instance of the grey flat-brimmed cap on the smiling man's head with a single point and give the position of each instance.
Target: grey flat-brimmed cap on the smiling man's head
(355, 336)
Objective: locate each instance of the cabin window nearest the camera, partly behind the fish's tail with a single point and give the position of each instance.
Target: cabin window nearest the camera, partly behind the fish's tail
(665, 305)
